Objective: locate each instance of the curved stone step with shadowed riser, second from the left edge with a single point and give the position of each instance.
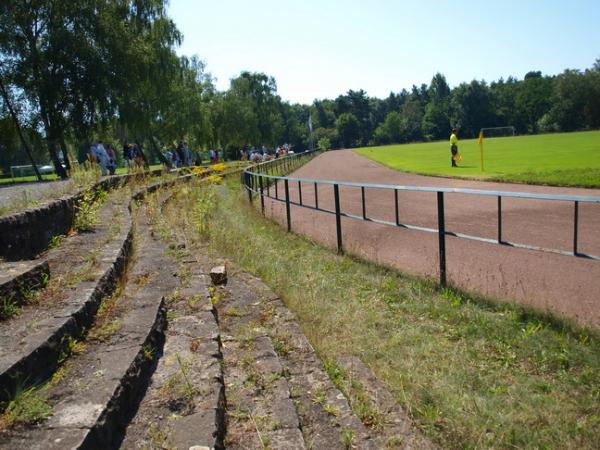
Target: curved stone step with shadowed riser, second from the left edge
(86, 269)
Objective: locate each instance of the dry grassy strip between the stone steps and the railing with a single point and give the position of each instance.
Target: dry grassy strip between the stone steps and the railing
(472, 374)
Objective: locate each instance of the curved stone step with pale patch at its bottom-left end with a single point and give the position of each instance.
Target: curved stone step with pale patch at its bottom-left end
(102, 385)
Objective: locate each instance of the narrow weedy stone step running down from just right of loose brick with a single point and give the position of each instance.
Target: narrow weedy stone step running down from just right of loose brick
(260, 410)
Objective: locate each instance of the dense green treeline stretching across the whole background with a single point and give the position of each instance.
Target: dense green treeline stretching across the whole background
(75, 71)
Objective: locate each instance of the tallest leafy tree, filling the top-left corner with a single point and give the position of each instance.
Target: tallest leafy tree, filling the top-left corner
(72, 82)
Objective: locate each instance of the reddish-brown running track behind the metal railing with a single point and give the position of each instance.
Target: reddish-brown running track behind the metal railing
(565, 285)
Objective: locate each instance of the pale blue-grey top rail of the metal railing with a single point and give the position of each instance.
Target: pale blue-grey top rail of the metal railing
(529, 195)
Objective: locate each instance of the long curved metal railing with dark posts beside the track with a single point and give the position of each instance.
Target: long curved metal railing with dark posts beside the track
(264, 178)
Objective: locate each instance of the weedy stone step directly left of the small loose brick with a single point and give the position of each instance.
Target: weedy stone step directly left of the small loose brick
(184, 404)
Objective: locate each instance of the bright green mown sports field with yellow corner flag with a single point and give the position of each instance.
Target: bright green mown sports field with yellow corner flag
(561, 159)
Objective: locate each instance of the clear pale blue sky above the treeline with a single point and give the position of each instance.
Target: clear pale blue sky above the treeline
(321, 49)
